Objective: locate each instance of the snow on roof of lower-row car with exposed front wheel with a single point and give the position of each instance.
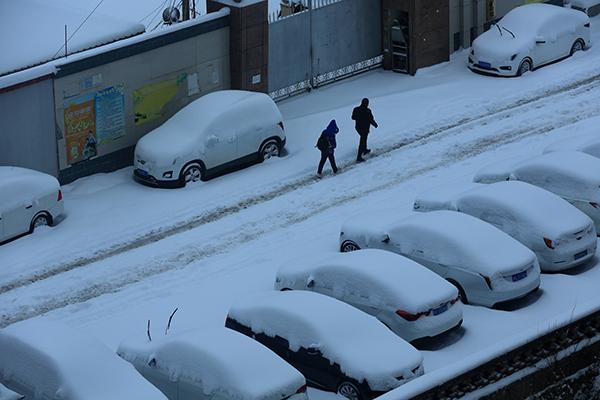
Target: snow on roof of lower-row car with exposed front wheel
(461, 240)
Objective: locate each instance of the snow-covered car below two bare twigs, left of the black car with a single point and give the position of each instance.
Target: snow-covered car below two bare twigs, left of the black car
(214, 363)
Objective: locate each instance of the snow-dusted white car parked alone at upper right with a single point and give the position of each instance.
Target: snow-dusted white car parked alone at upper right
(528, 37)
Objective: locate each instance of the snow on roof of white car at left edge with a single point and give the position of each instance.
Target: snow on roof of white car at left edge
(19, 186)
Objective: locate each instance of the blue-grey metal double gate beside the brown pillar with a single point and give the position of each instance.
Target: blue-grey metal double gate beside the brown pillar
(324, 41)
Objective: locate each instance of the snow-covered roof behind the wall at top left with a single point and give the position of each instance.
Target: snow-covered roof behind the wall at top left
(24, 47)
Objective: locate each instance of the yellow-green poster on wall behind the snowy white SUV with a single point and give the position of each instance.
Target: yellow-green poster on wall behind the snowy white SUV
(152, 102)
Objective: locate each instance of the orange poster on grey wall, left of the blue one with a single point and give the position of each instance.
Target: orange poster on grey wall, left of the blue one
(80, 129)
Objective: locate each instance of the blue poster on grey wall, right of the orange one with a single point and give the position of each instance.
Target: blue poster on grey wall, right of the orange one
(110, 114)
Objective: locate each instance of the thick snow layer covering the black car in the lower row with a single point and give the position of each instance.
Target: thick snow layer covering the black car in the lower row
(362, 346)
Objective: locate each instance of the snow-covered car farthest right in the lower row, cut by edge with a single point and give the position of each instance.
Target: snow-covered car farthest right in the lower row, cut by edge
(572, 175)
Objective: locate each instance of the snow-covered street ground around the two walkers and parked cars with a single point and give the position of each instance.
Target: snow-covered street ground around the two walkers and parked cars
(126, 253)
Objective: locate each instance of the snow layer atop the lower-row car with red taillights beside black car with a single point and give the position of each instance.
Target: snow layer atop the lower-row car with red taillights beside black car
(388, 280)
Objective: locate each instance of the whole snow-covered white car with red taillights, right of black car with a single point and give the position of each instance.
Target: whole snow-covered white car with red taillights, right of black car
(411, 300)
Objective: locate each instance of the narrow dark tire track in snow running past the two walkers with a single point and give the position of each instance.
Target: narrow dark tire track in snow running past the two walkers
(535, 101)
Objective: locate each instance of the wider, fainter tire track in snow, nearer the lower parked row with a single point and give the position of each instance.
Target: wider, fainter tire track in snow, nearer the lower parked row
(256, 228)
